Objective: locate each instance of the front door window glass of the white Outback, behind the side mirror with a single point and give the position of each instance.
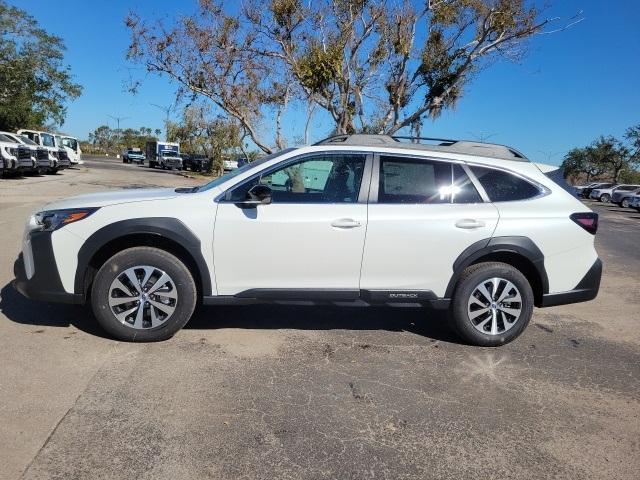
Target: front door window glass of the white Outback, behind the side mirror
(321, 179)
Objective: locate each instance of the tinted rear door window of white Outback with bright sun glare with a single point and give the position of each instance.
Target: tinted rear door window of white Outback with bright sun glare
(408, 180)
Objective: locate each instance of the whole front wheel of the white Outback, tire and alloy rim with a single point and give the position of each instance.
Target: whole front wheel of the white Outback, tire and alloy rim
(143, 294)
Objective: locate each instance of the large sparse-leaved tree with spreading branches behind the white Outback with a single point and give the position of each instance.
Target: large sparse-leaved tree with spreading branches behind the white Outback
(376, 66)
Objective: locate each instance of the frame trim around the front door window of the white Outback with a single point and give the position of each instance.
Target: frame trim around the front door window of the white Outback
(363, 193)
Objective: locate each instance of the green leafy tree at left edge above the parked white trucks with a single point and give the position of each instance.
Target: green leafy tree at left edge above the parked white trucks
(34, 82)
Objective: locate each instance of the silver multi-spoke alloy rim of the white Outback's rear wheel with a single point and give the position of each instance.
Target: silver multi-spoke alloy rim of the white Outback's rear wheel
(494, 306)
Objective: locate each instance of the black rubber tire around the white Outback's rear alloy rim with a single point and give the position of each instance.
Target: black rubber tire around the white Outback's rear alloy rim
(466, 285)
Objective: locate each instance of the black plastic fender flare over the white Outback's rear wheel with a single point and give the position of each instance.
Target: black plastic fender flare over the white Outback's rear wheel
(522, 246)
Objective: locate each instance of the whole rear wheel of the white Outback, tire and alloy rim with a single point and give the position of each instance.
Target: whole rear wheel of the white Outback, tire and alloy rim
(492, 304)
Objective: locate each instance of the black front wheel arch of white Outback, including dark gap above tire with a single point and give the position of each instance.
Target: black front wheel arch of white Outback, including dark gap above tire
(166, 233)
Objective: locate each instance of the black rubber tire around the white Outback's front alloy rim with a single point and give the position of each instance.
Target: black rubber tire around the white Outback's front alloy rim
(154, 257)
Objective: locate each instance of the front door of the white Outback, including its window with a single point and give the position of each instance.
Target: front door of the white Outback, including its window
(308, 242)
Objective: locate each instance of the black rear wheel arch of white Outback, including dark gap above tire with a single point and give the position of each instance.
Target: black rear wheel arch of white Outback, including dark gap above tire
(519, 252)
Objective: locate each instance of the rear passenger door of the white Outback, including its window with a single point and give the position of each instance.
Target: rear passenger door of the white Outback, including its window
(423, 214)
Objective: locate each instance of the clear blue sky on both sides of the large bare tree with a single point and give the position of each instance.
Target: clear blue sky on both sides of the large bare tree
(571, 87)
